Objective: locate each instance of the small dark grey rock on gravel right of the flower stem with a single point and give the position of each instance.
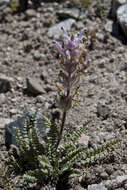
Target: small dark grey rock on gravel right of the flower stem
(103, 111)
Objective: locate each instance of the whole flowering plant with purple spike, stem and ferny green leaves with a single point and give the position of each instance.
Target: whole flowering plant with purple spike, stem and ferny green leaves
(49, 161)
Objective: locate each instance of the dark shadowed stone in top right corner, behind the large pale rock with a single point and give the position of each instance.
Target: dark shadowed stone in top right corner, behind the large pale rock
(115, 5)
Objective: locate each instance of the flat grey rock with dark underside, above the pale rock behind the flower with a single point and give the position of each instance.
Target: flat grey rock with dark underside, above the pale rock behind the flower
(68, 13)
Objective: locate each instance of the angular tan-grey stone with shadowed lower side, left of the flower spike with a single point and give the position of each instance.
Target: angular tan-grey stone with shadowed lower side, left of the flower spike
(34, 86)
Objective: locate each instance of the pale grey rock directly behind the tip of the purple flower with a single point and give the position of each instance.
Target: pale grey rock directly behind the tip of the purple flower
(56, 32)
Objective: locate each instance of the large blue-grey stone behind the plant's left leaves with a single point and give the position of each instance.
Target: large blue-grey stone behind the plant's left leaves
(10, 136)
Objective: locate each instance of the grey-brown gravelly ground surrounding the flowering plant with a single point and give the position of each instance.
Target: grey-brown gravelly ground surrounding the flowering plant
(29, 65)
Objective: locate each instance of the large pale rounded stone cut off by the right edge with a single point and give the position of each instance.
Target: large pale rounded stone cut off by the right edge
(122, 18)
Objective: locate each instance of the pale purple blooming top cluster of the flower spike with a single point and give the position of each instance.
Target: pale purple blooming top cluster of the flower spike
(73, 51)
